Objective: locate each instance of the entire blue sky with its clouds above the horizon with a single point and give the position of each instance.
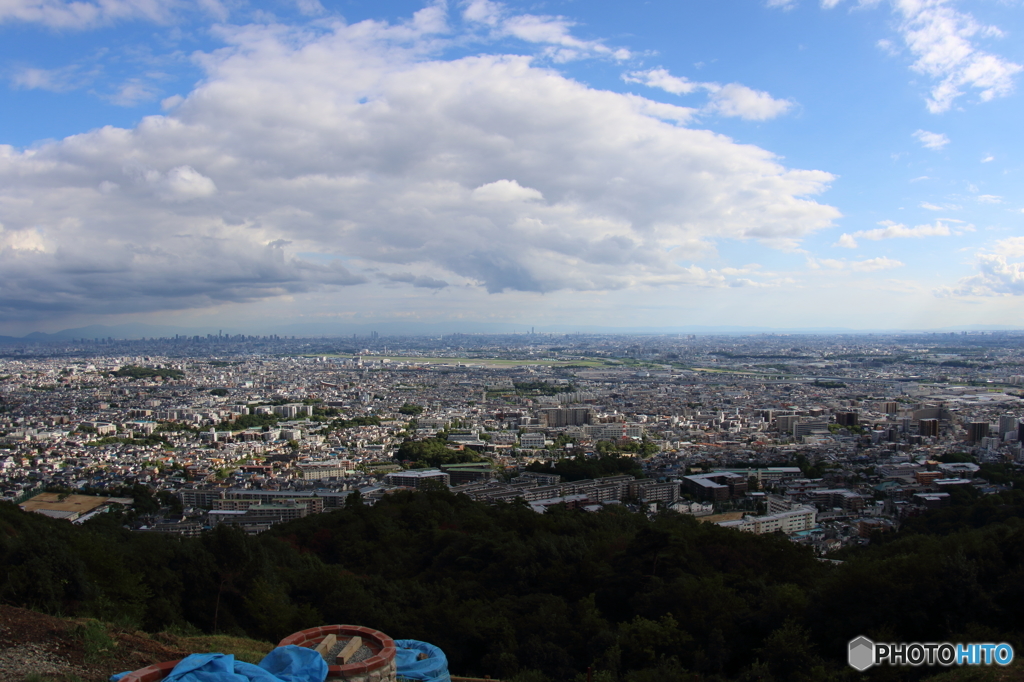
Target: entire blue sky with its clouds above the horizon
(563, 164)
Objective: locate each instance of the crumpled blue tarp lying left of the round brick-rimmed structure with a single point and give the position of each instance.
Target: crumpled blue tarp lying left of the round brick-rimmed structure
(285, 664)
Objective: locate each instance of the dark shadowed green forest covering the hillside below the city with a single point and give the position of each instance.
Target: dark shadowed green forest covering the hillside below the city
(523, 596)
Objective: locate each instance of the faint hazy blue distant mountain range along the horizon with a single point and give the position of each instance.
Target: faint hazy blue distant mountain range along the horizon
(121, 332)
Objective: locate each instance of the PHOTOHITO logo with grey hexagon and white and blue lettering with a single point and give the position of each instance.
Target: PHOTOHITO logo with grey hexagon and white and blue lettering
(864, 654)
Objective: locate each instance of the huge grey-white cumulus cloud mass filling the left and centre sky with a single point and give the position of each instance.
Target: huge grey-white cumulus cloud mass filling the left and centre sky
(355, 144)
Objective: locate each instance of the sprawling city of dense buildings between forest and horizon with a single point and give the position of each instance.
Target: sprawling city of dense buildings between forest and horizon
(829, 440)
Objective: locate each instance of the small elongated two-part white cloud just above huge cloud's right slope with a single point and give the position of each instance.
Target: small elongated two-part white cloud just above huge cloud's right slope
(733, 100)
